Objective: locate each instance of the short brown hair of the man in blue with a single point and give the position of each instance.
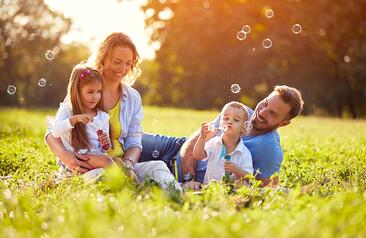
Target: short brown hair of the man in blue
(292, 97)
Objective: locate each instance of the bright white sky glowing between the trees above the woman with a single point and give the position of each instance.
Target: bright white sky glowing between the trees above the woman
(93, 20)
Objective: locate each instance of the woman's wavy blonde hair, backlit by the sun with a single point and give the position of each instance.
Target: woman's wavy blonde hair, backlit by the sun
(104, 50)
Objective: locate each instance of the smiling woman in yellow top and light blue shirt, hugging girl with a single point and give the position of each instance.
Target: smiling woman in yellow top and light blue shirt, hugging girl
(116, 59)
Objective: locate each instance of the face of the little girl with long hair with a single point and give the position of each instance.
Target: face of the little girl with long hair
(90, 95)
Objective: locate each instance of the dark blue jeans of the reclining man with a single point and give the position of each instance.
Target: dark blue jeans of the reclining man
(166, 148)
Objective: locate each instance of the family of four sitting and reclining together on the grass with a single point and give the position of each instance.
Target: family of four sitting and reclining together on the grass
(98, 125)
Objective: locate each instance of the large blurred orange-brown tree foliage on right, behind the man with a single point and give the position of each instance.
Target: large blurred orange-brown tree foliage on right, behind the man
(200, 56)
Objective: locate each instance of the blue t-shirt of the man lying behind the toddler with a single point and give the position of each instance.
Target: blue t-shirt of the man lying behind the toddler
(265, 149)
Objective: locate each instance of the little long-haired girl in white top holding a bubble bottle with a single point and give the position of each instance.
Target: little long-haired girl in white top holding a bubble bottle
(80, 121)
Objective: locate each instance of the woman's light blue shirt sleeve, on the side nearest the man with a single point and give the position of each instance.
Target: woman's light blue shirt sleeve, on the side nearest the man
(134, 133)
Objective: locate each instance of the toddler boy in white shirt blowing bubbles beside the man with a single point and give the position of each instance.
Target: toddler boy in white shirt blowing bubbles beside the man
(226, 153)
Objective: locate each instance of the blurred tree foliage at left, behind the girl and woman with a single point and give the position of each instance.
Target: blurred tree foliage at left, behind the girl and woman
(28, 28)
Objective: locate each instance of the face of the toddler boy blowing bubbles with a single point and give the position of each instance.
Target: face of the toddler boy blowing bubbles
(234, 119)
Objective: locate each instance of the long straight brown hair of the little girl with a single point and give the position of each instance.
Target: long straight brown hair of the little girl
(80, 76)
